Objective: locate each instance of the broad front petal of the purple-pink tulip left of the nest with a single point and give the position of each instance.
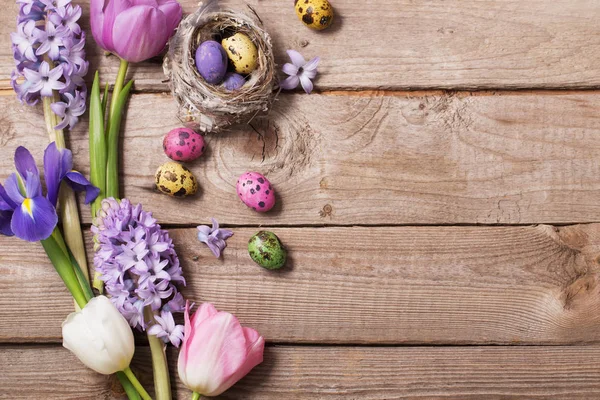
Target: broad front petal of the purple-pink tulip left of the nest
(142, 33)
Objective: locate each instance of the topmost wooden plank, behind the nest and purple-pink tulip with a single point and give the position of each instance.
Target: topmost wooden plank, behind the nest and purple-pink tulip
(394, 44)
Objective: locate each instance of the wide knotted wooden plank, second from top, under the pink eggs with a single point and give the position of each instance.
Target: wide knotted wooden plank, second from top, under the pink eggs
(368, 159)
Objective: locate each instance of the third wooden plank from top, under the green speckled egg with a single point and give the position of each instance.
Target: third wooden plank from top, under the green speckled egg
(442, 285)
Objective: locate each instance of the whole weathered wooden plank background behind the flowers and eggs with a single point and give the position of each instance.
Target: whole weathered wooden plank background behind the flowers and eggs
(443, 244)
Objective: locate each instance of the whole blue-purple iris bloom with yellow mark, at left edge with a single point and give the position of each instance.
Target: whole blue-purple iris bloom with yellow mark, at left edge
(24, 211)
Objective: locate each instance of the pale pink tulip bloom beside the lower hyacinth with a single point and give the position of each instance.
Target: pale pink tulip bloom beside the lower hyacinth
(217, 351)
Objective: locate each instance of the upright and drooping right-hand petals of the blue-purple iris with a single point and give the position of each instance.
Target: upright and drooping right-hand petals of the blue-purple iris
(58, 167)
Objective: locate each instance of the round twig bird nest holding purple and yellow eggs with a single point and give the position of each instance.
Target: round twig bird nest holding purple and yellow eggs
(211, 108)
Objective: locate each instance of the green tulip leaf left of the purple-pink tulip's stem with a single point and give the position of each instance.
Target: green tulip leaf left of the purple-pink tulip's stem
(97, 145)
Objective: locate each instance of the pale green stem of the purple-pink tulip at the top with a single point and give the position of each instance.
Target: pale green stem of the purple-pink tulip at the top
(113, 128)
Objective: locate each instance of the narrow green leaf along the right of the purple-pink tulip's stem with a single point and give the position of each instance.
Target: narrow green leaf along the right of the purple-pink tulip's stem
(112, 166)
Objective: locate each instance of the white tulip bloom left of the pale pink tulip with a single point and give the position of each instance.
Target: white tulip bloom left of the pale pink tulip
(99, 336)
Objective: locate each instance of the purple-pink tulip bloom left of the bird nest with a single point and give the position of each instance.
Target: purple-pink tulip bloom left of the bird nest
(135, 30)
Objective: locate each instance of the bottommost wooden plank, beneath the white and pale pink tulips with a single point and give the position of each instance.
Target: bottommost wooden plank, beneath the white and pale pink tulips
(309, 372)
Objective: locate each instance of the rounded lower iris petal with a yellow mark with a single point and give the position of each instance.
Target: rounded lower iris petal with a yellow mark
(34, 220)
